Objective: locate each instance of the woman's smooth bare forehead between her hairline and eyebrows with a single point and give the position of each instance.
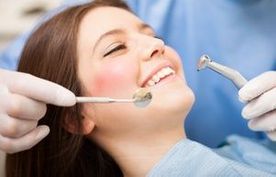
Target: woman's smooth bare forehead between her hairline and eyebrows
(102, 20)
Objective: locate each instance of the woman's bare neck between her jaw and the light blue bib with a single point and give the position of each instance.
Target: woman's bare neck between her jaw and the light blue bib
(137, 157)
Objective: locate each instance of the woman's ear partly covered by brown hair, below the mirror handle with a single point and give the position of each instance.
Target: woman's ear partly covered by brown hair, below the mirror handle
(87, 125)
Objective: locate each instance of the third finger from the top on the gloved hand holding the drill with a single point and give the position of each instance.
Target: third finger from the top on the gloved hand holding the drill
(267, 122)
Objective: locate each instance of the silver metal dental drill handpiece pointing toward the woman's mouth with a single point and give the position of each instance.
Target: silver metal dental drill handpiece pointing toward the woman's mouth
(229, 73)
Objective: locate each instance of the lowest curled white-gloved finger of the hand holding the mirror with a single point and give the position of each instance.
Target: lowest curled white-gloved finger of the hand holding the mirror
(12, 145)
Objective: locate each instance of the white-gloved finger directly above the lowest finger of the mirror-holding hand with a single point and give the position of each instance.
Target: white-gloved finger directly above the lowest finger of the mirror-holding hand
(14, 128)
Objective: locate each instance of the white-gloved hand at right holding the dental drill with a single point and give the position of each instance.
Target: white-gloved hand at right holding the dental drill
(260, 110)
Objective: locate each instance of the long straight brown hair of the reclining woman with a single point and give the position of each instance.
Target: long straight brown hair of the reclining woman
(51, 53)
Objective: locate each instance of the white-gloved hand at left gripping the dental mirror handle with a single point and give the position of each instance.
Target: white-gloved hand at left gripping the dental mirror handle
(23, 100)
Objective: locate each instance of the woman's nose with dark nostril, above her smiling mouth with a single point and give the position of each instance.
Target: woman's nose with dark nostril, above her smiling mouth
(152, 47)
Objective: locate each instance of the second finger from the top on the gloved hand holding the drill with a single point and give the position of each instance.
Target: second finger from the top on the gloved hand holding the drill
(261, 105)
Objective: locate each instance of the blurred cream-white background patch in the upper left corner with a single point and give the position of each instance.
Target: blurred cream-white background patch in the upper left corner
(17, 16)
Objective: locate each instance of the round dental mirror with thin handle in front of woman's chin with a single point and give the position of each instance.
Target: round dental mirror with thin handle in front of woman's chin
(141, 98)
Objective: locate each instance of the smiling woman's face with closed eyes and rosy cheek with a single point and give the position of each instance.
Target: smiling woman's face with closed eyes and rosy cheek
(118, 54)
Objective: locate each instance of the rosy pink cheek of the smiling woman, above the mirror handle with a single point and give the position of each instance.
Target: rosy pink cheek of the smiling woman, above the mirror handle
(112, 79)
